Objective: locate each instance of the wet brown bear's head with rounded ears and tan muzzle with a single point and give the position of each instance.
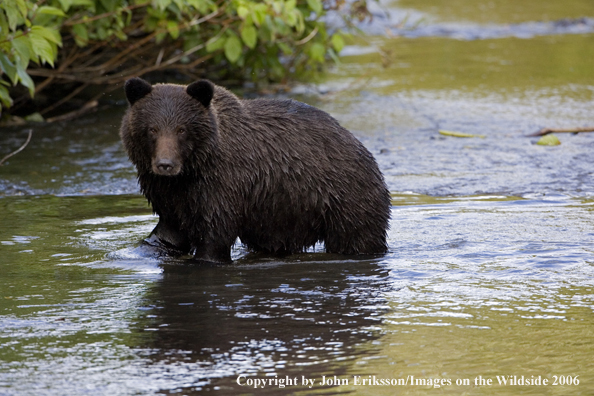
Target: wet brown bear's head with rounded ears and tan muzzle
(168, 129)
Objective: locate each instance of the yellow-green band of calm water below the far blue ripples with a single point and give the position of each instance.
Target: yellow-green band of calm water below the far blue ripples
(555, 65)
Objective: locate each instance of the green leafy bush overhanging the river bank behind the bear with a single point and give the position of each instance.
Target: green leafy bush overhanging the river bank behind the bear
(242, 38)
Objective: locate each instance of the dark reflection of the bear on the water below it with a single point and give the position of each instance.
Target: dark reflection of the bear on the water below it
(307, 315)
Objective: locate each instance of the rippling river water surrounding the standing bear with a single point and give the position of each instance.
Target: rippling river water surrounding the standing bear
(490, 273)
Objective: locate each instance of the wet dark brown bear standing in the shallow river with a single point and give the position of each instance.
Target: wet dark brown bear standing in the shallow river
(279, 174)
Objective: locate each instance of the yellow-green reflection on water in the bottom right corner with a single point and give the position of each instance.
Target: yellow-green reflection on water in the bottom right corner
(425, 341)
